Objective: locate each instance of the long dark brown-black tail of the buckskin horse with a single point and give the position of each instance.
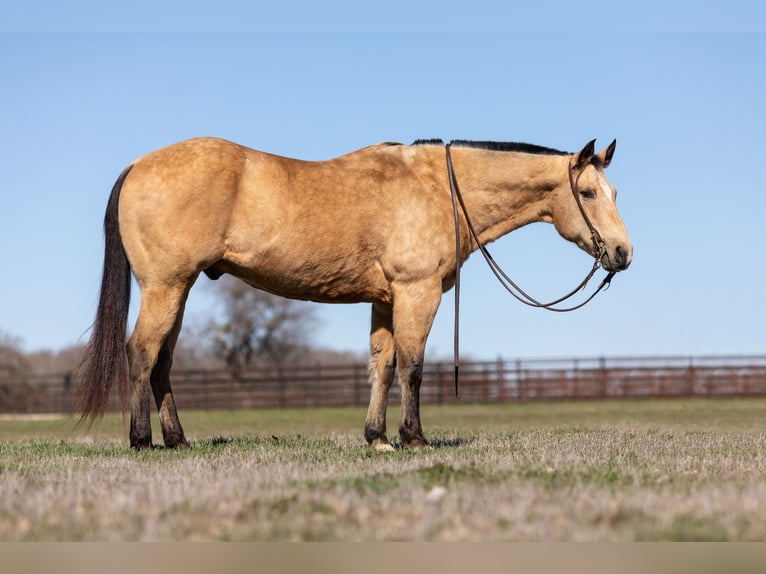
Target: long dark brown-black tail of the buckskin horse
(105, 358)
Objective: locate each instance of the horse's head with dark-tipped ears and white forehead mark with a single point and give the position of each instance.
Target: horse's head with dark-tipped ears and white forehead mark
(590, 218)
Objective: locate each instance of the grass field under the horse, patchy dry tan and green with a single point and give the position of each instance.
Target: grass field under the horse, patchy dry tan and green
(580, 471)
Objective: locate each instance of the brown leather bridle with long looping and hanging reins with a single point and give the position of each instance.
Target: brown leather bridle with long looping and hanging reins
(509, 285)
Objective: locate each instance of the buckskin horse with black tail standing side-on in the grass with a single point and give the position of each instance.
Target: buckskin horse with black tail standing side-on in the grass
(375, 225)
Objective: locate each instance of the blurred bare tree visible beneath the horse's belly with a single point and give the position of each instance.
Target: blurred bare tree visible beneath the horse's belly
(258, 327)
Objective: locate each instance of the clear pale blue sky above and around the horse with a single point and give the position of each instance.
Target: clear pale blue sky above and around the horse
(86, 92)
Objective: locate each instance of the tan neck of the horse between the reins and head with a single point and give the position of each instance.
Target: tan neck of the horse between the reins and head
(504, 190)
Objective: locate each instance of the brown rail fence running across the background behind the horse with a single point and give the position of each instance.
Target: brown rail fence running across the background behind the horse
(495, 381)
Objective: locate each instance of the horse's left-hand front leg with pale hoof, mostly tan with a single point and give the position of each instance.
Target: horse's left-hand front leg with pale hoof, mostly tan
(382, 365)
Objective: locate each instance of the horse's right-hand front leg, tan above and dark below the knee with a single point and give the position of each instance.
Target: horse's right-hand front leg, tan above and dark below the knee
(415, 305)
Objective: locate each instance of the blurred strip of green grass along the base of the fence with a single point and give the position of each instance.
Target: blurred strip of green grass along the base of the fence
(690, 414)
